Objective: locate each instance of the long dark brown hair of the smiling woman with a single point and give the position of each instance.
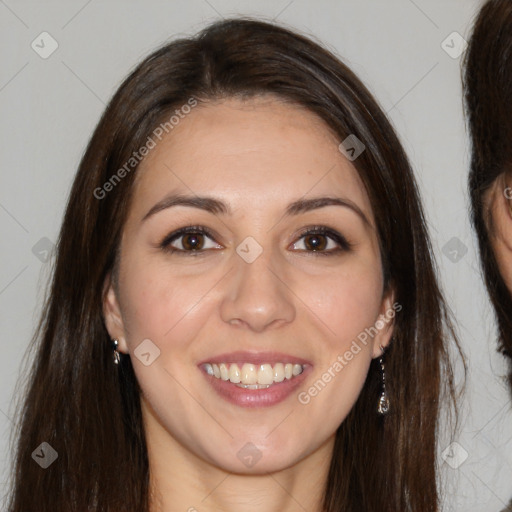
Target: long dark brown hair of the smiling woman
(90, 413)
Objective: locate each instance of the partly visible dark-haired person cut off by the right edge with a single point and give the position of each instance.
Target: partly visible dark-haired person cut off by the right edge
(488, 95)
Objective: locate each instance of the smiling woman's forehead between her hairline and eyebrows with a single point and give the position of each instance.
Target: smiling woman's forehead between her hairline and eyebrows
(257, 153)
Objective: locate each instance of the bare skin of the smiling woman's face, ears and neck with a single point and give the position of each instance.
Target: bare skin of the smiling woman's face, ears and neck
(258, 156)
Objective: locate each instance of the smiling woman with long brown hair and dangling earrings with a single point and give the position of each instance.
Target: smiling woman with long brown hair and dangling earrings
(246, 227)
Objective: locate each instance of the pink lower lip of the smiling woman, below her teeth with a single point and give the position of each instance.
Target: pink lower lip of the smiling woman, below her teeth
(265, 397)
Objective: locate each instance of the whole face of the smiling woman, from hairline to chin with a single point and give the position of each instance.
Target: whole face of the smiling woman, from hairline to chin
(245, 286)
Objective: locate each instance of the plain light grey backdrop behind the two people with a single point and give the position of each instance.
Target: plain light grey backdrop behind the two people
(404, 50)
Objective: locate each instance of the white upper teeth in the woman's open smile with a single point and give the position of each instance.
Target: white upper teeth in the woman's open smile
(253, 374)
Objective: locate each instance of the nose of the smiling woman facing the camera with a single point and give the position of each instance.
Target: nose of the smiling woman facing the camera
(257, 295)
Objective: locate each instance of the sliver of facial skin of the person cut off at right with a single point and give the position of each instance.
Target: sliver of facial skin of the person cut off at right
(498, 200)
